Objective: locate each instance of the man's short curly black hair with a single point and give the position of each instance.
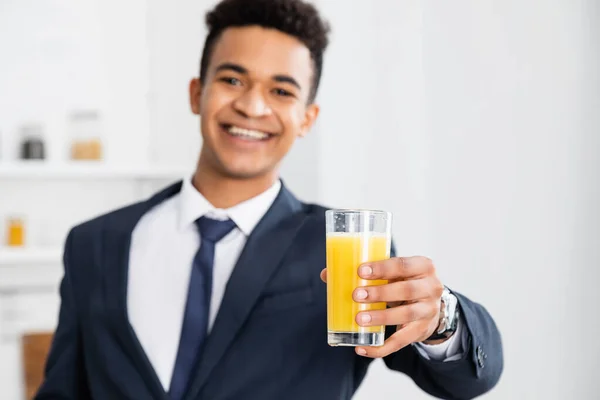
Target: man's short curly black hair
(296, 18)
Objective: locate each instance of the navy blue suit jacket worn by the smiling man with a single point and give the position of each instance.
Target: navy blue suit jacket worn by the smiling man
(269, 338)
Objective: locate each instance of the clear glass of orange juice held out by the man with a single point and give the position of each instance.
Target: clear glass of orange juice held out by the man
(353, 237)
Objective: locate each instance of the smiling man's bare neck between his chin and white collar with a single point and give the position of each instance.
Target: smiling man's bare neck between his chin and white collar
(224, 192)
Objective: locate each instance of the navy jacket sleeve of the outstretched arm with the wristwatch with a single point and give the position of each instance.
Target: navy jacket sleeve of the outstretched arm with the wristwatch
(476, 371)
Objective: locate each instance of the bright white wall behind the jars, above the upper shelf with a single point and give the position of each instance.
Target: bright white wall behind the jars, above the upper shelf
(61, 56)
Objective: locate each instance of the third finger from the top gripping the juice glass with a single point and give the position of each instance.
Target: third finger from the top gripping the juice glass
(400, 315)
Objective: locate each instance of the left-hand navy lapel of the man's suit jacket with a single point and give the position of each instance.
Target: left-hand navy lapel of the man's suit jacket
(116, 246)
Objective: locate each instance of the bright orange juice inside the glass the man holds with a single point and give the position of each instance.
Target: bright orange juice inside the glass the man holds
(345, 253)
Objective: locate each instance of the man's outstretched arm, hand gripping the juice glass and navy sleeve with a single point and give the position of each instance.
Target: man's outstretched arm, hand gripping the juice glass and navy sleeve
(413, 293)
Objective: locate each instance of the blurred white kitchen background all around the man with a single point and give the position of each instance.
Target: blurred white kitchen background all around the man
(477, 123)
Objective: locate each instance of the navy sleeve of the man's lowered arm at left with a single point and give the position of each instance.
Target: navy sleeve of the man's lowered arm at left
(65, 370)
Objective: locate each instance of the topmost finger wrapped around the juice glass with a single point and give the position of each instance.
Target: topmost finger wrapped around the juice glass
(396, 268)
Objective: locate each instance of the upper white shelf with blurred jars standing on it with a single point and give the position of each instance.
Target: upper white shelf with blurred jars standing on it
(85, 170)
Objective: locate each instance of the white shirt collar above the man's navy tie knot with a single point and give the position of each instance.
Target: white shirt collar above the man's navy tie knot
(246, 215)
